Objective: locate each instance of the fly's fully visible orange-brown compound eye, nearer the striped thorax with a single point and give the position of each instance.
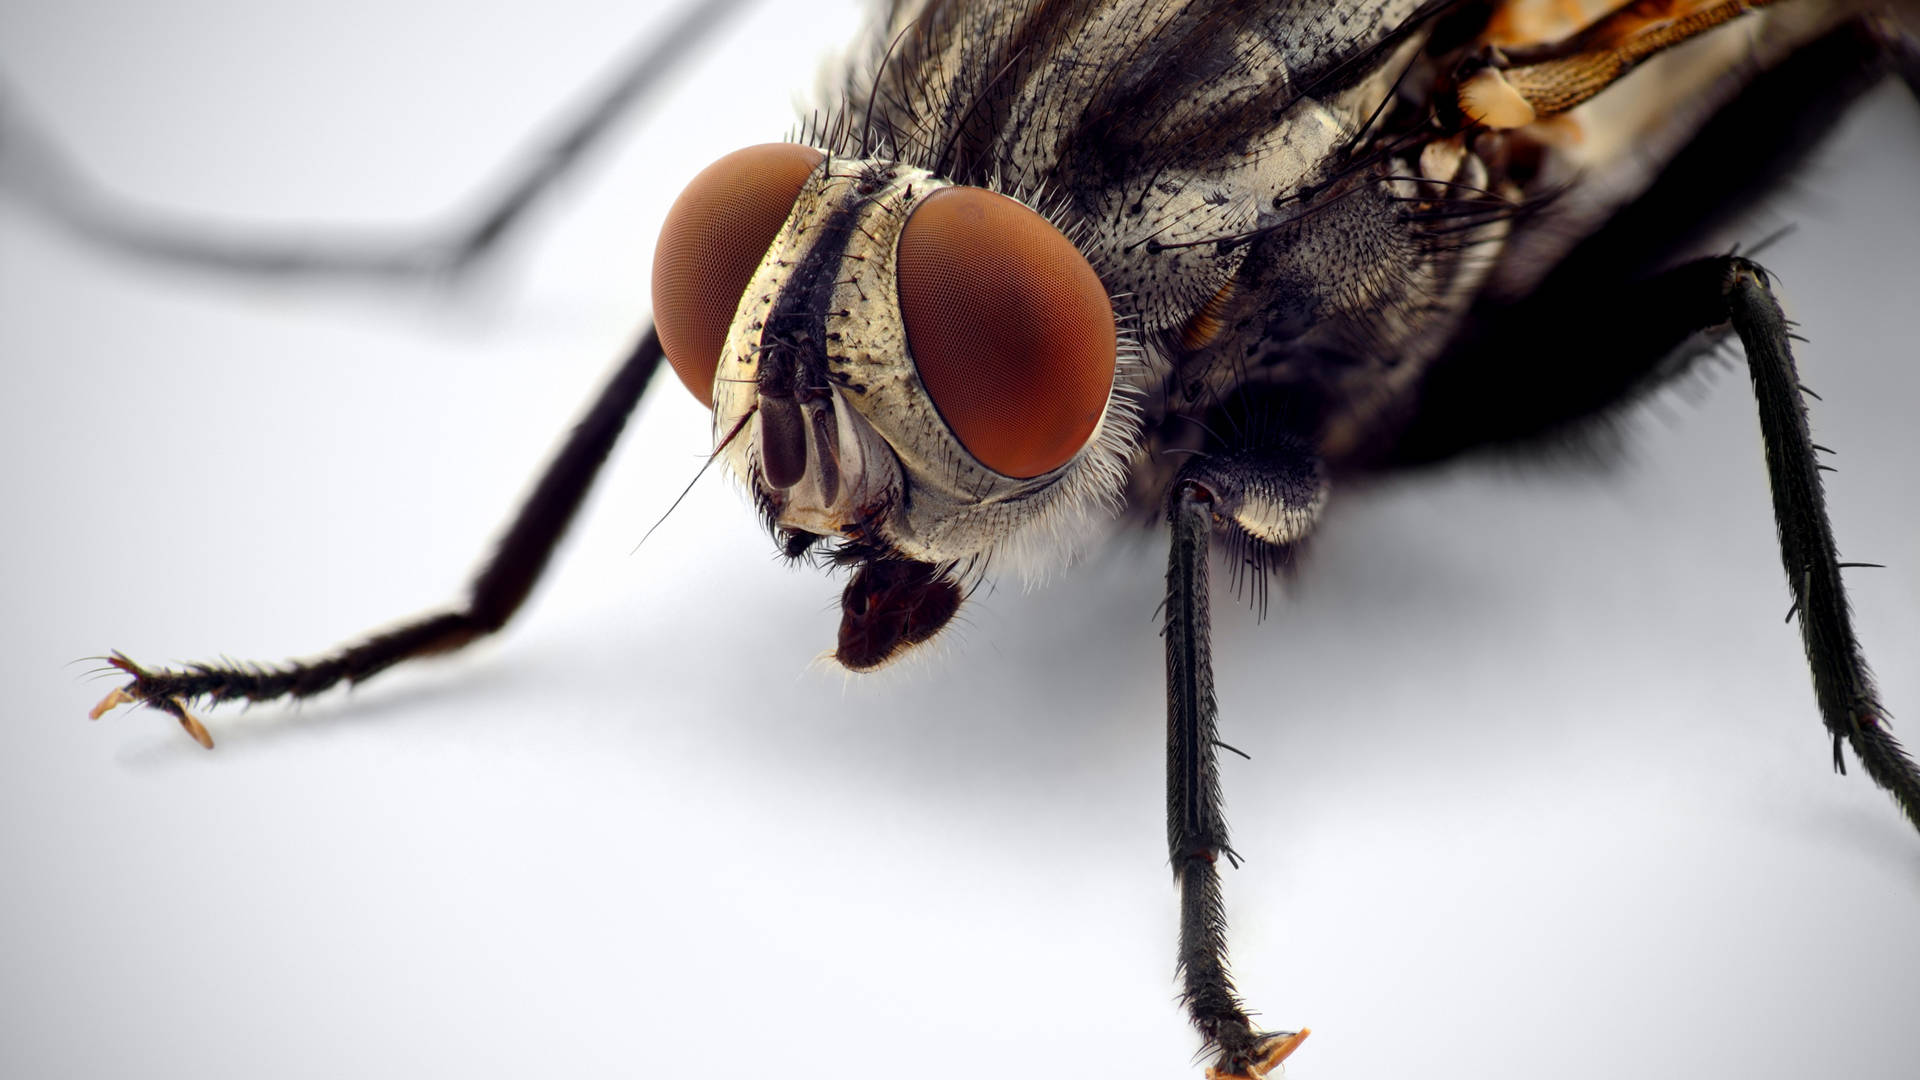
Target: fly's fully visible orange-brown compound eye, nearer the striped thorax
(1011, 330)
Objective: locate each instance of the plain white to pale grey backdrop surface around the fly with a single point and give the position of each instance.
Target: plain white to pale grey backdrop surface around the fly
(1539, 787)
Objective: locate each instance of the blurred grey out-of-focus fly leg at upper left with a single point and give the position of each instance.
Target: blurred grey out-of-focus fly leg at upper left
(37, 172)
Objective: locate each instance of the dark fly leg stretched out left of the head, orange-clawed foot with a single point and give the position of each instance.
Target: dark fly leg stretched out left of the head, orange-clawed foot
(496, 595)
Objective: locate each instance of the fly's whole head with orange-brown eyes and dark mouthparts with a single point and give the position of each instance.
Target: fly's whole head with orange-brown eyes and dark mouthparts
(923, 376)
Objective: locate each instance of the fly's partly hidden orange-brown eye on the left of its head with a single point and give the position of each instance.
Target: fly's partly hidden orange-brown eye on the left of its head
(715, 237)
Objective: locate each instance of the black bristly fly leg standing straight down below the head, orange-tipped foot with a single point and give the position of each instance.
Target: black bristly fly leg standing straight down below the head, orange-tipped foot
(1274, 497)
